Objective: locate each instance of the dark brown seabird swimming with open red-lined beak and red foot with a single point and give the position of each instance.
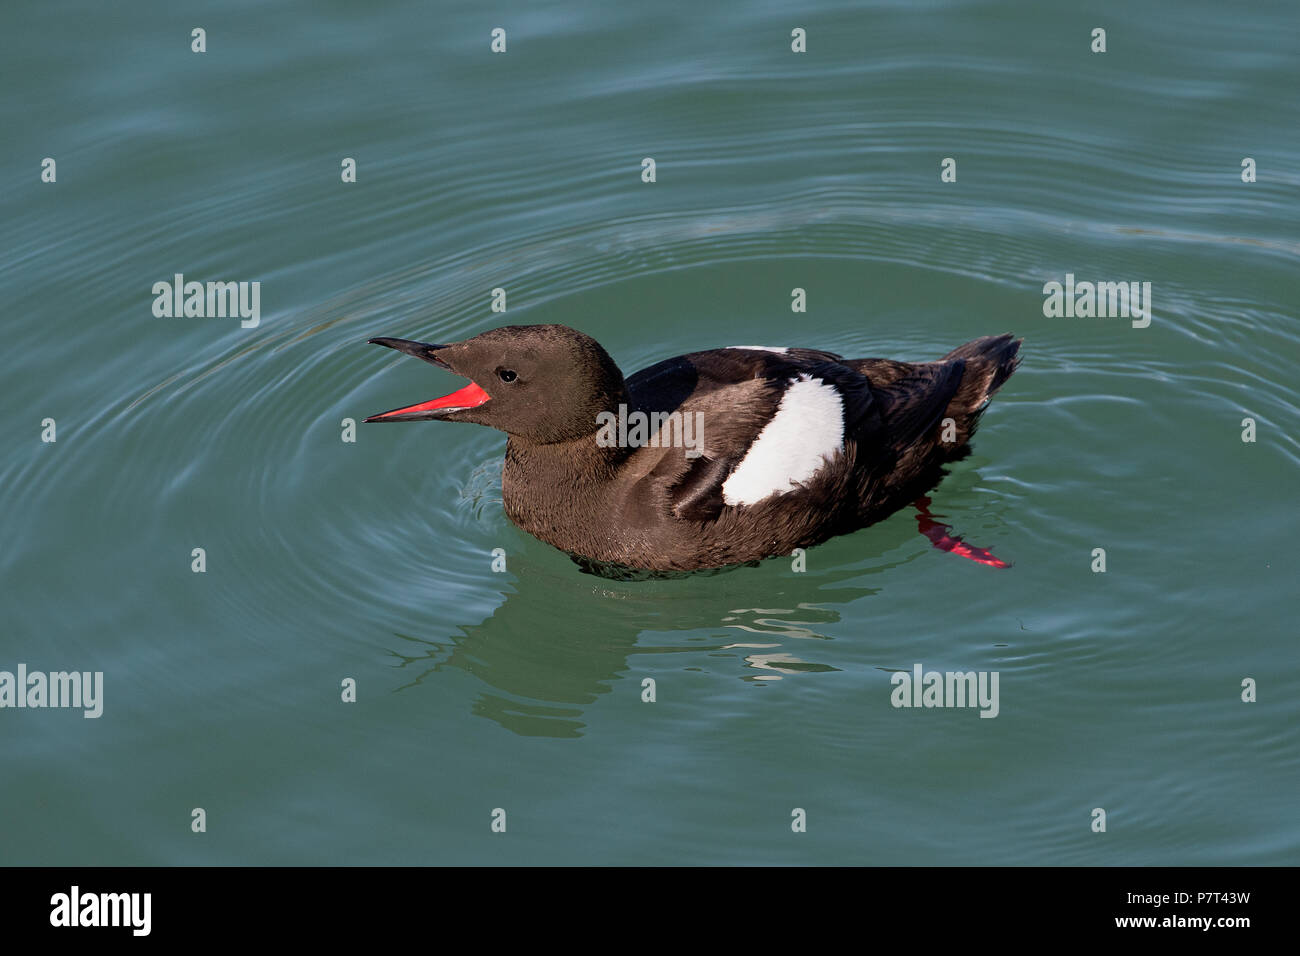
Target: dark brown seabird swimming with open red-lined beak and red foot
(714, 458)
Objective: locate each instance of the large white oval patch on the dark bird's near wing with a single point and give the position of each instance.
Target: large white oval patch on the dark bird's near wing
(807, 431)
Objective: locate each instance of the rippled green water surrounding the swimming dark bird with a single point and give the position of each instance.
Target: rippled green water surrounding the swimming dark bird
(523, 690)
